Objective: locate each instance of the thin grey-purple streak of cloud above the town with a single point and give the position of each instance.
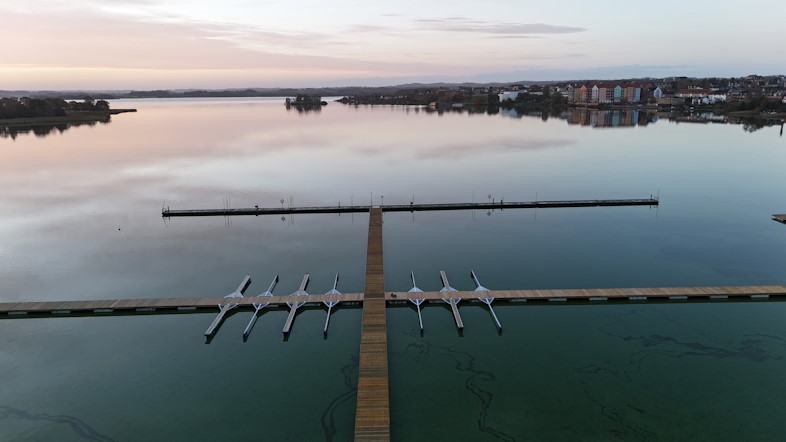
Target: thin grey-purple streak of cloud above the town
(463, 24)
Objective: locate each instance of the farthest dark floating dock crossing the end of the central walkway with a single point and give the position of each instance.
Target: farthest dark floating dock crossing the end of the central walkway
(259, 211)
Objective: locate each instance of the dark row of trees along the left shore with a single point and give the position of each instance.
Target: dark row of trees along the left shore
(27, 107)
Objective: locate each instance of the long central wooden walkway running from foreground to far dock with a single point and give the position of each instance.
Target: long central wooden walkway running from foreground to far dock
(372, 418)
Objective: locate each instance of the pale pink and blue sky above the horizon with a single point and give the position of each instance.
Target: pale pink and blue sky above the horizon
(170, 44)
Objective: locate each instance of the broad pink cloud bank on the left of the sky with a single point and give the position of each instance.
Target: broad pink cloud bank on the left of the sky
(89, 39)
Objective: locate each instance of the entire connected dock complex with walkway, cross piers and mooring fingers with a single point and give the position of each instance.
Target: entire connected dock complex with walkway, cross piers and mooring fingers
(372, 419)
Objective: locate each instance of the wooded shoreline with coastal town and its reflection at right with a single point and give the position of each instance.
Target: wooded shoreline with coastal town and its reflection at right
(753, 101)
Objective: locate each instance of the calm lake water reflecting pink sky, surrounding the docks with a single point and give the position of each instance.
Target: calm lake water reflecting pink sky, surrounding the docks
(81, 220)
